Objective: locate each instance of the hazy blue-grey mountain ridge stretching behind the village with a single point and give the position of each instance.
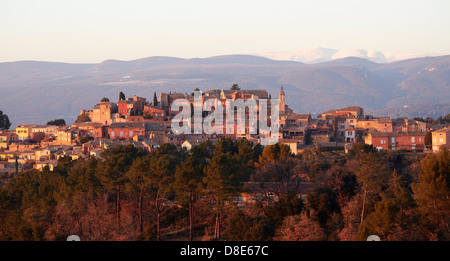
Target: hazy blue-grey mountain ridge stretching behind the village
(37, 92)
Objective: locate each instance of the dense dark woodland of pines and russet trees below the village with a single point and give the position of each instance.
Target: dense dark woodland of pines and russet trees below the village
(168, 194)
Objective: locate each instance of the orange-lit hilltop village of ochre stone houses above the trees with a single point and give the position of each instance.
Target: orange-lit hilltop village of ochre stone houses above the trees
(147, 124)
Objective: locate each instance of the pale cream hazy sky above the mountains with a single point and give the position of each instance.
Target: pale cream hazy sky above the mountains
(96, 30)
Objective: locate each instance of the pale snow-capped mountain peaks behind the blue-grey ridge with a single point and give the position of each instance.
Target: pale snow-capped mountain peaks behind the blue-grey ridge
(319, 54)
